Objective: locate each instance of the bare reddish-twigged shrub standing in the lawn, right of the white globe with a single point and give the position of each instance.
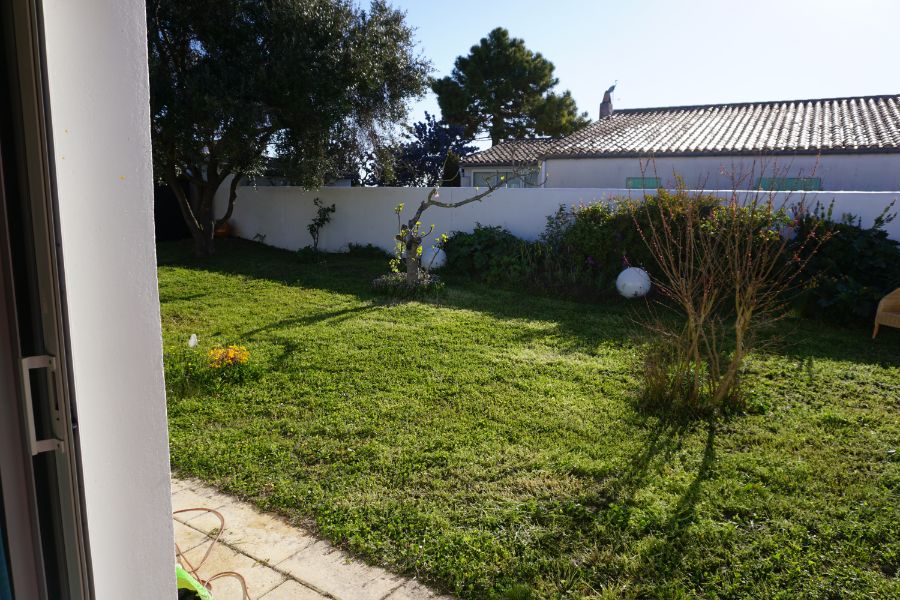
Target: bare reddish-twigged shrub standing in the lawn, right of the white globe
(723, 269)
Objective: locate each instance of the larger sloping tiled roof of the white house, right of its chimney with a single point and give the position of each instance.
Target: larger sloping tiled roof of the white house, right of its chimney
(833, 125)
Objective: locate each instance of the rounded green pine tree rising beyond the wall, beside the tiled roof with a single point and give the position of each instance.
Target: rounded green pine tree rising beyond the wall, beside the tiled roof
(505, 90)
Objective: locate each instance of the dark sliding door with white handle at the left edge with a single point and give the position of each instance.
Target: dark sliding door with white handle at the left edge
(45, 488)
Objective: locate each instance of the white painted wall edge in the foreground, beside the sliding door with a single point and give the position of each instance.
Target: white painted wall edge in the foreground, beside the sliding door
(99, 99)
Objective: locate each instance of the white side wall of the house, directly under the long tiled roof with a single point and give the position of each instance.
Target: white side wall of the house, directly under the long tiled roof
(844, 172)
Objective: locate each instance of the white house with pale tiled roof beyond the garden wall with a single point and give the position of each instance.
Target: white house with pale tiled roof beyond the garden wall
(821, 144)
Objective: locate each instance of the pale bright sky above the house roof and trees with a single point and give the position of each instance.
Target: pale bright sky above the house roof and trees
(666, 53)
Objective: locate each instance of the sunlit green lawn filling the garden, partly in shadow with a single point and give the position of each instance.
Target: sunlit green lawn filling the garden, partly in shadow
(489, 442)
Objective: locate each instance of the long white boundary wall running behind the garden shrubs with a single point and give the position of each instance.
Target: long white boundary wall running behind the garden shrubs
(366, 215)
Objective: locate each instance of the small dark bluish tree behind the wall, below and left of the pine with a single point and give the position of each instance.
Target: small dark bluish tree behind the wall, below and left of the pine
(429, 158)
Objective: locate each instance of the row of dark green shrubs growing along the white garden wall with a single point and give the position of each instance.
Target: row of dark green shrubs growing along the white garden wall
(583, 249)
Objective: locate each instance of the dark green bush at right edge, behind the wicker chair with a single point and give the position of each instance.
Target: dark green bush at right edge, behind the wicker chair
(852, 271)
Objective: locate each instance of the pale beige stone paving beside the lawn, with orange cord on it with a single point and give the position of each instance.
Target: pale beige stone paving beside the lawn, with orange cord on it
(279, 562)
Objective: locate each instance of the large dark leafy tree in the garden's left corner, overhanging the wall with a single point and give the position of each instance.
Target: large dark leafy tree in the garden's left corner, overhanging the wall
(312, 82)
